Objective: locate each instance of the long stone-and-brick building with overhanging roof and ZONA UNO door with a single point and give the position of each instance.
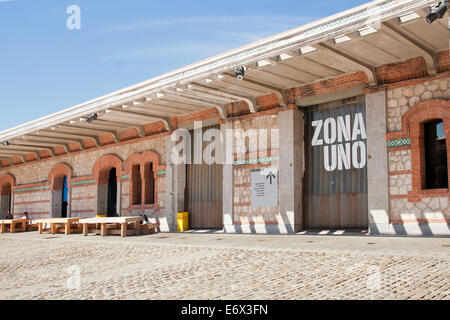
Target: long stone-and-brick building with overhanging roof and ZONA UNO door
(402, 97)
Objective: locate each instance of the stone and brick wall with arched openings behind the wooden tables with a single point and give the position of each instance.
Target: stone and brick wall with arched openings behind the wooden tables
(33, 191)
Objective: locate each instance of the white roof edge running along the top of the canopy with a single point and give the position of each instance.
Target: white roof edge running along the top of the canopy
(309, 34)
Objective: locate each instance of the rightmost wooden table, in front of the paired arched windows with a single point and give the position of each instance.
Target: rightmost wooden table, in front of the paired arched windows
(115, 225)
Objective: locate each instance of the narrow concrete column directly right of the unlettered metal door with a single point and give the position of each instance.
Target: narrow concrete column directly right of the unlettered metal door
(227, 181)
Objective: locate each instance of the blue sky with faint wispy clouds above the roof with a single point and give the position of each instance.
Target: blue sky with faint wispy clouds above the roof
(45, 67)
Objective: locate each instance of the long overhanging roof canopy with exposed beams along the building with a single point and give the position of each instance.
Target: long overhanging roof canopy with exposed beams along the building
(361, 39)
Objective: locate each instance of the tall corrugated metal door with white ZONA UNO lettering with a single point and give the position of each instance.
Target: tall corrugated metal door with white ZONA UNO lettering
(335, 181)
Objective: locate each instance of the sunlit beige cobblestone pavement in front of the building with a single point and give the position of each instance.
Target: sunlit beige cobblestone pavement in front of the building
(221, 266)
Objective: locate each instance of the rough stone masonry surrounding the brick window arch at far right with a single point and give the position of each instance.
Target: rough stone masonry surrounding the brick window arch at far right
(403, 210)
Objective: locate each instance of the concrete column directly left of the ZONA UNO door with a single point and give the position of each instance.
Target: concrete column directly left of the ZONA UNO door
(291, 148)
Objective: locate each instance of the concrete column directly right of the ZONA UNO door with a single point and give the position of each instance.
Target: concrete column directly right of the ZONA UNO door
(377, 167)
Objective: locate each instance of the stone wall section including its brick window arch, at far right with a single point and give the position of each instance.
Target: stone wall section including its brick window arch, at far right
(414, 211)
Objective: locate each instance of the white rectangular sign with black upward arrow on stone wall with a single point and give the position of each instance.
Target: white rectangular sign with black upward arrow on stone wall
(264, 187)
